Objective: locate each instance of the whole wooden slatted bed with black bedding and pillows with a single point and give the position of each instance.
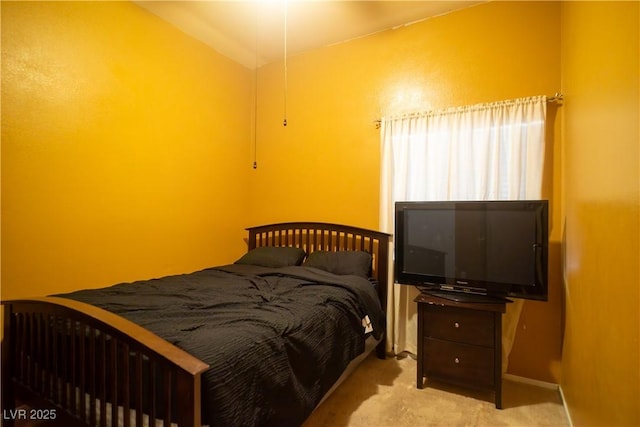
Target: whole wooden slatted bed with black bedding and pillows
(258, 342)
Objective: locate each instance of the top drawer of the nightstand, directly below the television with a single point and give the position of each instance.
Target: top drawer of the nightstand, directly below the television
(459, 325)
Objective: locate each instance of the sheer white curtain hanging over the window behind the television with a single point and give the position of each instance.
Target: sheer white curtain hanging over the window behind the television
(482, 152)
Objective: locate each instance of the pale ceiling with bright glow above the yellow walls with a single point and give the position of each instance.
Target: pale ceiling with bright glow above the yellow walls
(252, 33)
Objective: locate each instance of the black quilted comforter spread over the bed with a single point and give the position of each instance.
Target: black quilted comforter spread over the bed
(276, 338)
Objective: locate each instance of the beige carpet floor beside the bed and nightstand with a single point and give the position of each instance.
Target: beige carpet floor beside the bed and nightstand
(384, 393)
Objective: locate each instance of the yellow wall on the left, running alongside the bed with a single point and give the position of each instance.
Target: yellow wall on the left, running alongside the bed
(125, 146)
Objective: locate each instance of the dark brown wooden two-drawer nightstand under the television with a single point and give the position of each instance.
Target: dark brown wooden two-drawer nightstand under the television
(460, 343)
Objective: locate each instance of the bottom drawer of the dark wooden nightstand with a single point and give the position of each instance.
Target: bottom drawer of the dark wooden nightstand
(461, 363)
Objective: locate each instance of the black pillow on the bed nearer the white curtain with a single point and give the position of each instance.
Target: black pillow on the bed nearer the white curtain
(342, 262)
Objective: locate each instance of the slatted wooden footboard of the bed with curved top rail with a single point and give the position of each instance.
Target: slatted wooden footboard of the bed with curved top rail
(80, 365)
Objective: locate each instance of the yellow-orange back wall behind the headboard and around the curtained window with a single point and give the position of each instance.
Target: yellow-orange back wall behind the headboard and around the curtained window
(325, 164)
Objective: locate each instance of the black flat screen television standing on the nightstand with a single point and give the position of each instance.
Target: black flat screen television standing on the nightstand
(473, 250)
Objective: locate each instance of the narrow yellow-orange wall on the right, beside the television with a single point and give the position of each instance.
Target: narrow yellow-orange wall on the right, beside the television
(601, 358)
